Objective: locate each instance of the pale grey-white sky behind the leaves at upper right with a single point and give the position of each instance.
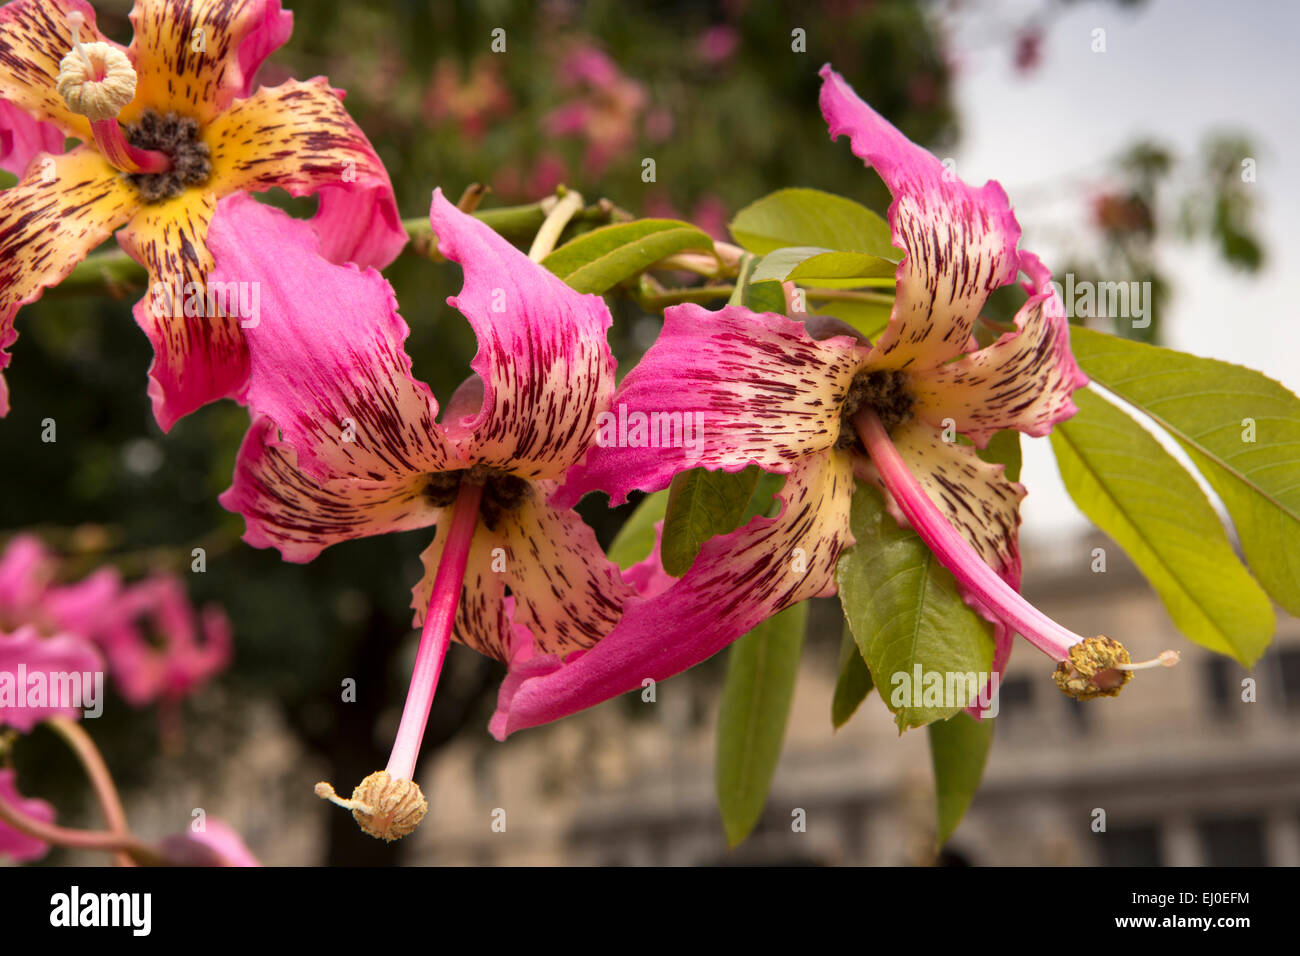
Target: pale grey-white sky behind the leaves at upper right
(1175, 71)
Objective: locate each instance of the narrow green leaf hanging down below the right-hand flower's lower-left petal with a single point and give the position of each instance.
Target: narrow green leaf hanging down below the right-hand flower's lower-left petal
(761, 673)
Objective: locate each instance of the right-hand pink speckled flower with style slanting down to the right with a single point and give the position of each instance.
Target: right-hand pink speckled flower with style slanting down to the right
(820, 408)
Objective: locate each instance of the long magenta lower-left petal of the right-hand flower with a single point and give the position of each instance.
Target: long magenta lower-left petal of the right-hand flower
(738, 581)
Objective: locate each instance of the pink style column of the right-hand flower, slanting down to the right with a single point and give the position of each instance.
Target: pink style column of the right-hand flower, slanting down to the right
(954, 551)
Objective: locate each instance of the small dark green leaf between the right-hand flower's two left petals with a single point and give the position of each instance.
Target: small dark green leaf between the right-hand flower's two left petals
(703, 504)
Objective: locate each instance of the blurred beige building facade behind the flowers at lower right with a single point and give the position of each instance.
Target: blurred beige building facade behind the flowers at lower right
(1198, 765)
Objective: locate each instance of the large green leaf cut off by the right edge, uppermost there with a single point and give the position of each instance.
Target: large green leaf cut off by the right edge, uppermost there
(1207, 405)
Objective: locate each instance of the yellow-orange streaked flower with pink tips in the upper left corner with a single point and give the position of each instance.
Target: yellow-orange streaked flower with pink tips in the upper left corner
(168, 128)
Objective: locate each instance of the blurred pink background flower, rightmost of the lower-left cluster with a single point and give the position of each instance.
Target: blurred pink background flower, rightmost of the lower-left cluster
(176, 661)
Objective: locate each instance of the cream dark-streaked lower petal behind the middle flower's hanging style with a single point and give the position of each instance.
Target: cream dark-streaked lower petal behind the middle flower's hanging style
(566, 592)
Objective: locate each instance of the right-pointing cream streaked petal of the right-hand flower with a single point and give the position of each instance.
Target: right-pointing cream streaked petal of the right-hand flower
(1024, 380)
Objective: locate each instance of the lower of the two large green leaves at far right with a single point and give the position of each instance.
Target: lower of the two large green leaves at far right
(1141, 496)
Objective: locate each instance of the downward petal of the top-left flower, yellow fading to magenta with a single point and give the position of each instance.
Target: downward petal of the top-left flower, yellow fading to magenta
(200, 352)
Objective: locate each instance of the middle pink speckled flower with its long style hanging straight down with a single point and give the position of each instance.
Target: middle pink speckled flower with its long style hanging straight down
(348, 444)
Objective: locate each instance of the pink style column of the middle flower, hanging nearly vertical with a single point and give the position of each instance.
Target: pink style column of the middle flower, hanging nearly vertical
(436, 635)
